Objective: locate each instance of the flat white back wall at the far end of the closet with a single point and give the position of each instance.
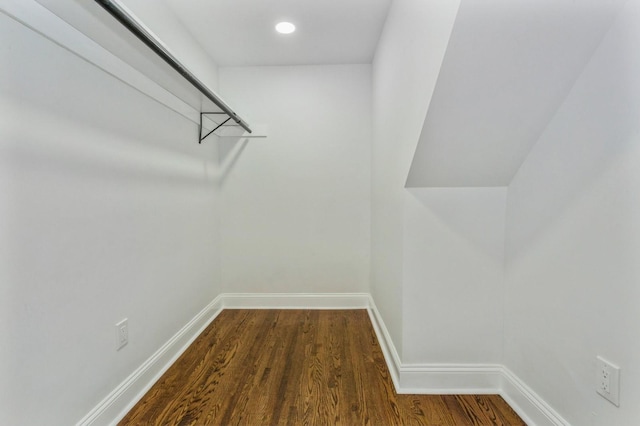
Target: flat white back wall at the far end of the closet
(296, 206)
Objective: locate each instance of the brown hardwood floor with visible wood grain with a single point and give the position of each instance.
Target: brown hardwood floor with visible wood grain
(298, 367)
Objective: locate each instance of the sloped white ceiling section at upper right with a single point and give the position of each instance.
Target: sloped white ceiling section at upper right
(508, 67)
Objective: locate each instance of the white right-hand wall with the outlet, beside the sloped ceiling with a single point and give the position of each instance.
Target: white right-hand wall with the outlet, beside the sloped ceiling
(573, 241)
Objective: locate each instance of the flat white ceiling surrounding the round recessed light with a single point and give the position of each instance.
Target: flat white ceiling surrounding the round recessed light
(241, 32)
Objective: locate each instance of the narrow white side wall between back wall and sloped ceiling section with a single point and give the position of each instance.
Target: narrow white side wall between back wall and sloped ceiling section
(405, 70)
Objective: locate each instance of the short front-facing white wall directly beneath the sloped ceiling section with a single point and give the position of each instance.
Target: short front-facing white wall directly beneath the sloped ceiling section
(453, 275)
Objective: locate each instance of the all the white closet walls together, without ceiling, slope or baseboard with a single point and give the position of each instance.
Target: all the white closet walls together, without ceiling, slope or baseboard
(109, 209)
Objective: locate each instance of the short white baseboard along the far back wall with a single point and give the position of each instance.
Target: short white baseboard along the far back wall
(296, 300)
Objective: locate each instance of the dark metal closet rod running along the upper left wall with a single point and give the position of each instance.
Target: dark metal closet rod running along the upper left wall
(139, 31)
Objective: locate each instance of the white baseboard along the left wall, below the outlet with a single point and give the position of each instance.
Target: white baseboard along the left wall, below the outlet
(116, 405)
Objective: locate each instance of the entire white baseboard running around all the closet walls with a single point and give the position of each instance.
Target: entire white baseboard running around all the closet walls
(407, 378)
